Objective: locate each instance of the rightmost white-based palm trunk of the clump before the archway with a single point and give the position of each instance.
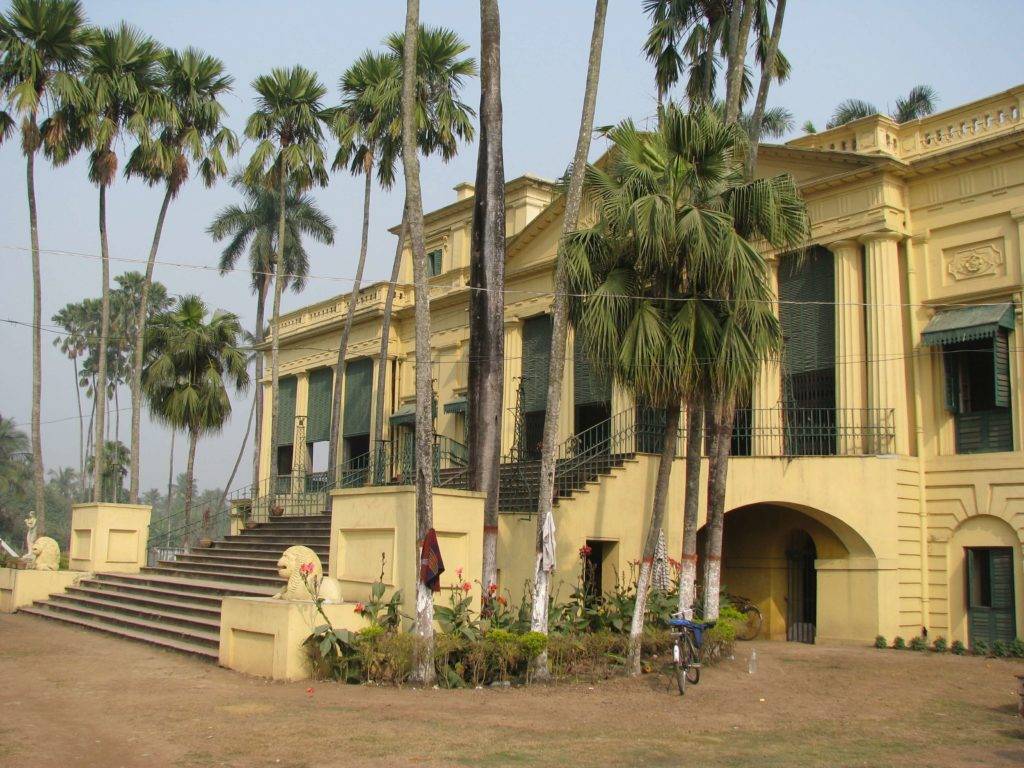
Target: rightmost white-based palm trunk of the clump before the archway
(717, 477)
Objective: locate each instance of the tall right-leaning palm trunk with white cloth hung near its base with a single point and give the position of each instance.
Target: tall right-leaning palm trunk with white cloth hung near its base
(560, 312)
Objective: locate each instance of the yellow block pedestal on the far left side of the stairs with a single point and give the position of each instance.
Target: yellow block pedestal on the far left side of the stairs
(109, 538)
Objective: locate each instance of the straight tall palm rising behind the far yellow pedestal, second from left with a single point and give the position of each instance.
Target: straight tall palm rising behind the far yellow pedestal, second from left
(120, 92)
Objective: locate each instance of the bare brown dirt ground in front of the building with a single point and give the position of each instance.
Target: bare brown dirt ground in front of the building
(75, 698)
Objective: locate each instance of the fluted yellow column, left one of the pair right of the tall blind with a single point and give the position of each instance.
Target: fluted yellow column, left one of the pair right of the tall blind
(850, 347)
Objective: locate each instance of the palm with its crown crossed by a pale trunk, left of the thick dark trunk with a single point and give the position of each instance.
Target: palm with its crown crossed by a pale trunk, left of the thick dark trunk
(444, 121)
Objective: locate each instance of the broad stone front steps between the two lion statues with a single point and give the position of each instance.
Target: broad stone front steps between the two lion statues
(177, 604)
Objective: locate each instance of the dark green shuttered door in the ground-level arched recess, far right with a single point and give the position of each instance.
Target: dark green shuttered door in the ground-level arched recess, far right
(991, 594)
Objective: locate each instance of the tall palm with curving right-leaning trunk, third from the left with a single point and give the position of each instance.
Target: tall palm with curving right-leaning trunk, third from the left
(191, 132)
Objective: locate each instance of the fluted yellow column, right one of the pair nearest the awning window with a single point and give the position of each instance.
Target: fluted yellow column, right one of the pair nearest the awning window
(886, 366)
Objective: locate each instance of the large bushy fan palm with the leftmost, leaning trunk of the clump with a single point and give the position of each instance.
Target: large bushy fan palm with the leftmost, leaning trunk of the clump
(671, 287)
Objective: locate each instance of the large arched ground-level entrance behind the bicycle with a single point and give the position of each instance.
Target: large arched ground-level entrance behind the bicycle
(812, 576)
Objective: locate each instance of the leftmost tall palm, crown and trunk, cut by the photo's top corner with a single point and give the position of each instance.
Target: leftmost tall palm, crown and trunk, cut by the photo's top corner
(42, 48)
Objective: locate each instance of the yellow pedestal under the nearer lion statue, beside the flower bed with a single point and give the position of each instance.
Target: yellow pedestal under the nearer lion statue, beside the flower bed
(264, 636)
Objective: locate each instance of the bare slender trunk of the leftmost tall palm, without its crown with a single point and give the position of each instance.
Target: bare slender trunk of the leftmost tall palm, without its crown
(38, 478)
